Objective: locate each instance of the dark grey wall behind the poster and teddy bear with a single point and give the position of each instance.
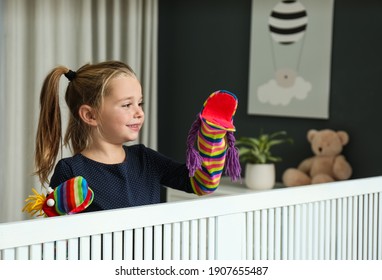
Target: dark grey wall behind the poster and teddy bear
(204, 46)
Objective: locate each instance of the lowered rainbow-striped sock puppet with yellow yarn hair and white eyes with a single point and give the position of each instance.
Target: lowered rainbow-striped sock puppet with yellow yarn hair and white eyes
(72, 196)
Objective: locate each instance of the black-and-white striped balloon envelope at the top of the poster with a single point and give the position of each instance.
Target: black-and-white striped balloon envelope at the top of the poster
(288, 22)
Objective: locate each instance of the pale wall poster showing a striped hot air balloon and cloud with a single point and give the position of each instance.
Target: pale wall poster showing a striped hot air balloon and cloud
(290, 58)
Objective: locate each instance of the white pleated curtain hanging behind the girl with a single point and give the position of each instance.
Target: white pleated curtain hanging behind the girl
(36, 36)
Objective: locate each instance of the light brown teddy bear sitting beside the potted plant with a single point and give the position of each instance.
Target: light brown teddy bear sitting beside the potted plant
(327, 164)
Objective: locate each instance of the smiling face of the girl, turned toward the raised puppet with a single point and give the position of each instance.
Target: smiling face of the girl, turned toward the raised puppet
(121, 115)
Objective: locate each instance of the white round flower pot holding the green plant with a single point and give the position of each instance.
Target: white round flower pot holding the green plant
(260, 176)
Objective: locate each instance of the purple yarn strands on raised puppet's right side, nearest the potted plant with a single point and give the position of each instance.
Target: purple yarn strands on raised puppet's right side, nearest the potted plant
(233, 167)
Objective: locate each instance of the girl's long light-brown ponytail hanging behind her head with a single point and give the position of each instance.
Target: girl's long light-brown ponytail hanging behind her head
(48, 137)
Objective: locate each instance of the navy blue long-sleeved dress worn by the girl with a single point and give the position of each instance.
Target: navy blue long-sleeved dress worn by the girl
(134, 182)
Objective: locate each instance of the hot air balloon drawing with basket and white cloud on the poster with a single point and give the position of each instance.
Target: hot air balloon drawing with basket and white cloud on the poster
(287, 23)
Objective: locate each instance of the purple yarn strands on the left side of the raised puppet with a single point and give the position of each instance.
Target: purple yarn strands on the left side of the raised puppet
(194, 159)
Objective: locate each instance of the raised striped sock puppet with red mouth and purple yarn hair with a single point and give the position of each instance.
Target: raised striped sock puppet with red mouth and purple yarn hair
(215, 148)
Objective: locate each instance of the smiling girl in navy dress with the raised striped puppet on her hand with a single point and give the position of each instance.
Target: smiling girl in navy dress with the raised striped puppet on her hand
(106, 110)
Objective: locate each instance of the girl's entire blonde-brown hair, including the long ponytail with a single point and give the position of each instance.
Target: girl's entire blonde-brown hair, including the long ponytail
(87, 86)
